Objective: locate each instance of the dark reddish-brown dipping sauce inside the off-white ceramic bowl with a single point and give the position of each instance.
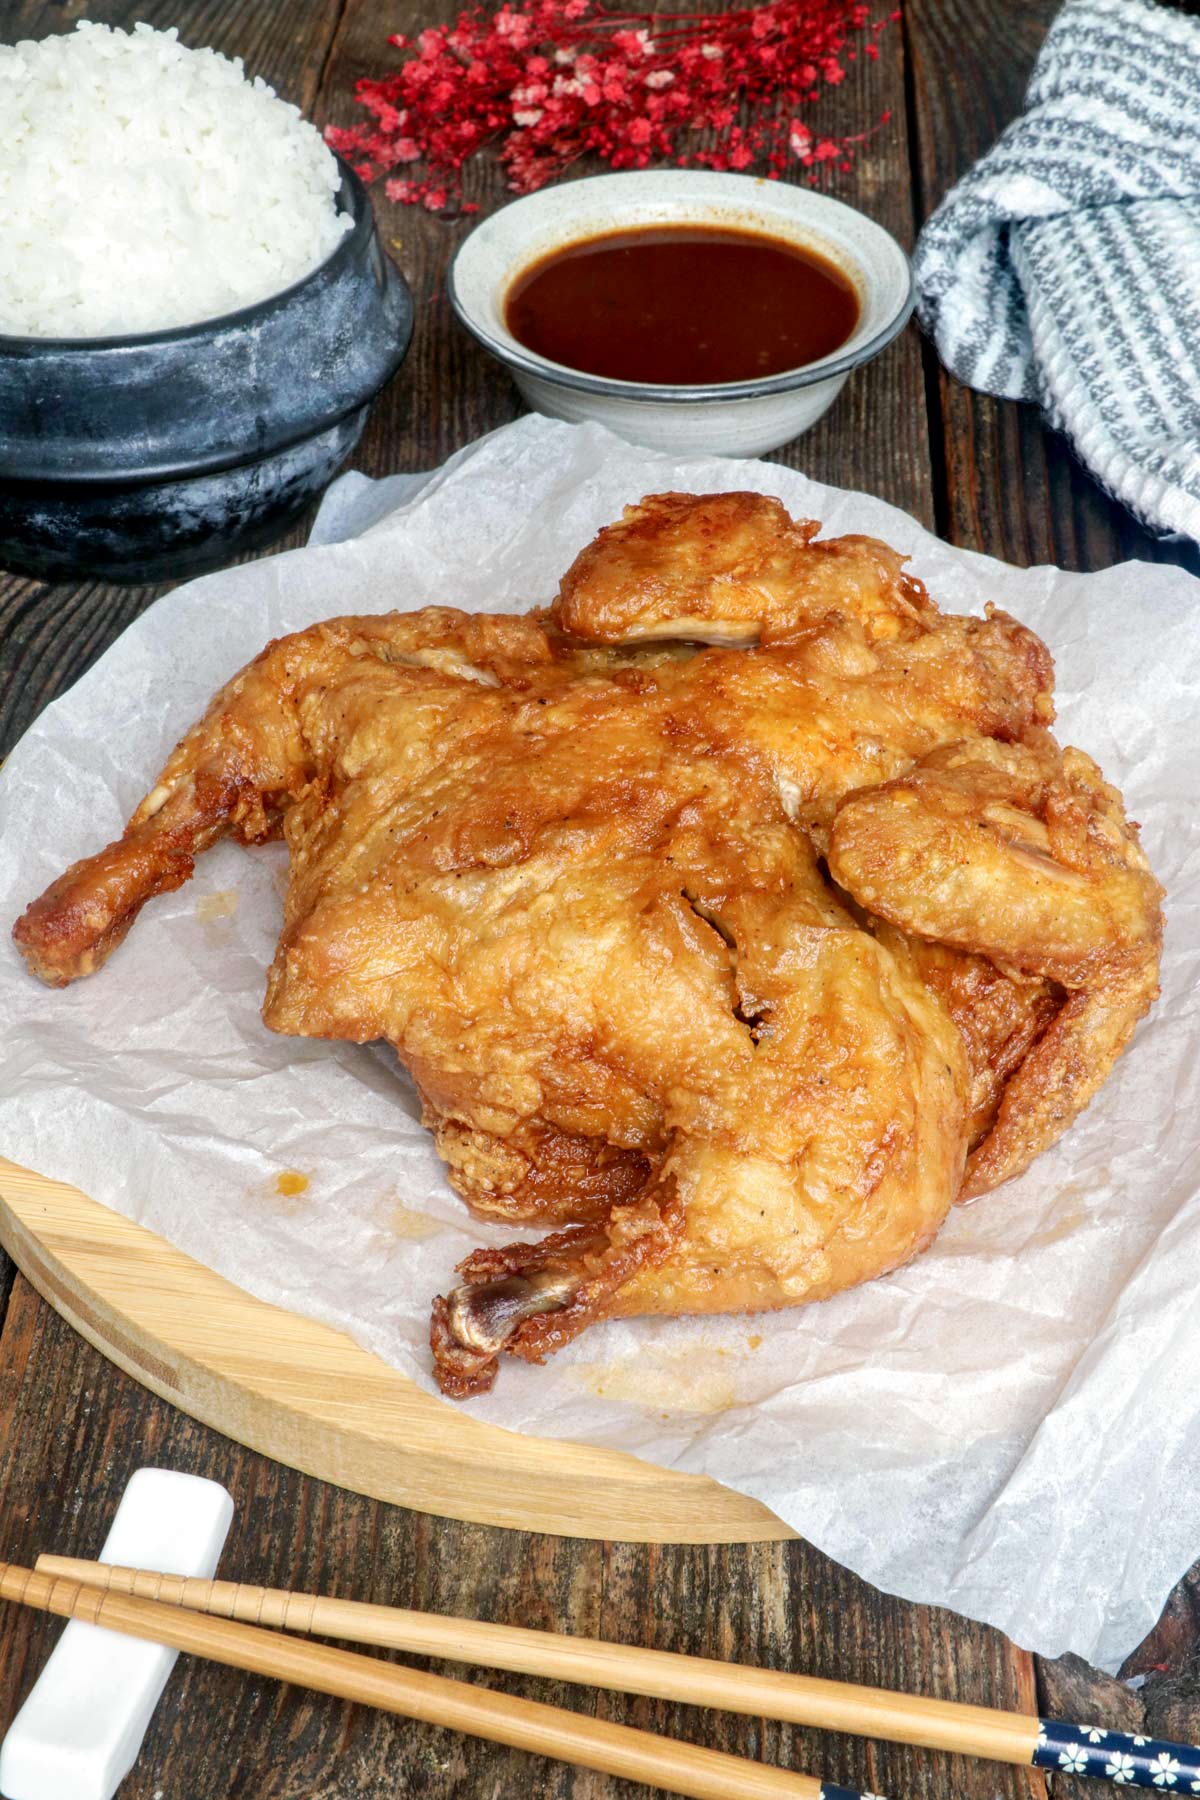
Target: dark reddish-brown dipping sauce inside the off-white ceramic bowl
(683, 305)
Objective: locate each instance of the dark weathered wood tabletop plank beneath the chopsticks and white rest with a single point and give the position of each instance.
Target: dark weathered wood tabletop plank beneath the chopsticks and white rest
(78, 1428)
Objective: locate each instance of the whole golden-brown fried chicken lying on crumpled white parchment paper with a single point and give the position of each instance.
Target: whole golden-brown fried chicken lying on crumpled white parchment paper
(733, 917)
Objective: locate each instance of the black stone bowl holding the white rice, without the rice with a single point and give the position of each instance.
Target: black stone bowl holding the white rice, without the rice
(152, 458)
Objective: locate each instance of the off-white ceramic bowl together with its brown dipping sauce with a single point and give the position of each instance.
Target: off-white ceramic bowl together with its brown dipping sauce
(686, 310)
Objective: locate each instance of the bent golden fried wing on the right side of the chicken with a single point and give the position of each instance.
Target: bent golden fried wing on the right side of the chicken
(1021, 854)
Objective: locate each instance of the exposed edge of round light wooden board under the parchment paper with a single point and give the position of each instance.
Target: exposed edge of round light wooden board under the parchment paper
(310, 1398)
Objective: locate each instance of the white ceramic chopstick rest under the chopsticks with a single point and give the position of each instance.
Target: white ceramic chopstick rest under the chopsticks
(85, 1720)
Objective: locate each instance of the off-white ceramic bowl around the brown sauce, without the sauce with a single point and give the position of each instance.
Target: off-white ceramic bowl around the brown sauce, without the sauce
(733, 418)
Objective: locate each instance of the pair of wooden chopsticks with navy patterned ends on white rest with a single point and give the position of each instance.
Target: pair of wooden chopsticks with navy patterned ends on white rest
(210, 1619)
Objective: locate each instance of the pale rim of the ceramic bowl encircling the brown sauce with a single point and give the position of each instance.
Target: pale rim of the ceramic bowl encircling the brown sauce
(836, 364)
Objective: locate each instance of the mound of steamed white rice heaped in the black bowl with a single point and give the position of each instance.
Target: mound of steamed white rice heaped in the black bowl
(147, 186)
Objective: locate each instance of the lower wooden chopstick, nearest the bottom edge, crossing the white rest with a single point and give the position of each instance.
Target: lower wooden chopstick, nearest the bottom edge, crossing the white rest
(481, 1713)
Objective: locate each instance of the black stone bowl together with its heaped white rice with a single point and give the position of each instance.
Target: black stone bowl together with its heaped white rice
(195, 309)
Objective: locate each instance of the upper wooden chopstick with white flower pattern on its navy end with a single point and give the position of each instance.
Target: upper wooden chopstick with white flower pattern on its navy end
(629, 1669)
